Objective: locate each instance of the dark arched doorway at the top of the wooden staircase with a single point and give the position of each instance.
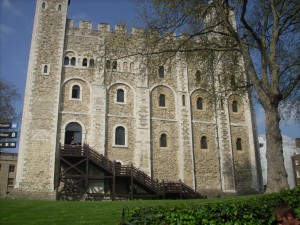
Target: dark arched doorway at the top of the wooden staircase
(73, 134)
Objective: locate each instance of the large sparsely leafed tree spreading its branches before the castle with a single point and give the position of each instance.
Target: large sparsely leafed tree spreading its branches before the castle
(264, 32)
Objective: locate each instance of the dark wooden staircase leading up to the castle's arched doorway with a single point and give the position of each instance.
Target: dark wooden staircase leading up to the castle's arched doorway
(75, 177)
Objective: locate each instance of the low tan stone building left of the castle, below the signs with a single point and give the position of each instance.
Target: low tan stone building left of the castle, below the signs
(8, 169)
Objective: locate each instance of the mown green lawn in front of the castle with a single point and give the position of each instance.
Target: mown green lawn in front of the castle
(34, 212)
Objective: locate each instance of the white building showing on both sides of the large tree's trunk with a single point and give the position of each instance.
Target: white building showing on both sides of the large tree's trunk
(291, 152)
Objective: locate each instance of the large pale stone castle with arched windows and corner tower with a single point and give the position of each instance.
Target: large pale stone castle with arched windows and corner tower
(160, 119)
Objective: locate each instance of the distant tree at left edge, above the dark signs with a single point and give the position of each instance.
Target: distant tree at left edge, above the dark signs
(8, 97)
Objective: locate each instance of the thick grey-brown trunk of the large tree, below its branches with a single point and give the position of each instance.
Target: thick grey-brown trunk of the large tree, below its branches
(277, 176)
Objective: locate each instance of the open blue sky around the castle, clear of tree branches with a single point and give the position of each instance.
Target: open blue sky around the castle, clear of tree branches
(16, 21)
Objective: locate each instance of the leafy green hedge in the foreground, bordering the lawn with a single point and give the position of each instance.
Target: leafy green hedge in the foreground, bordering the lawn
(257, 210)
